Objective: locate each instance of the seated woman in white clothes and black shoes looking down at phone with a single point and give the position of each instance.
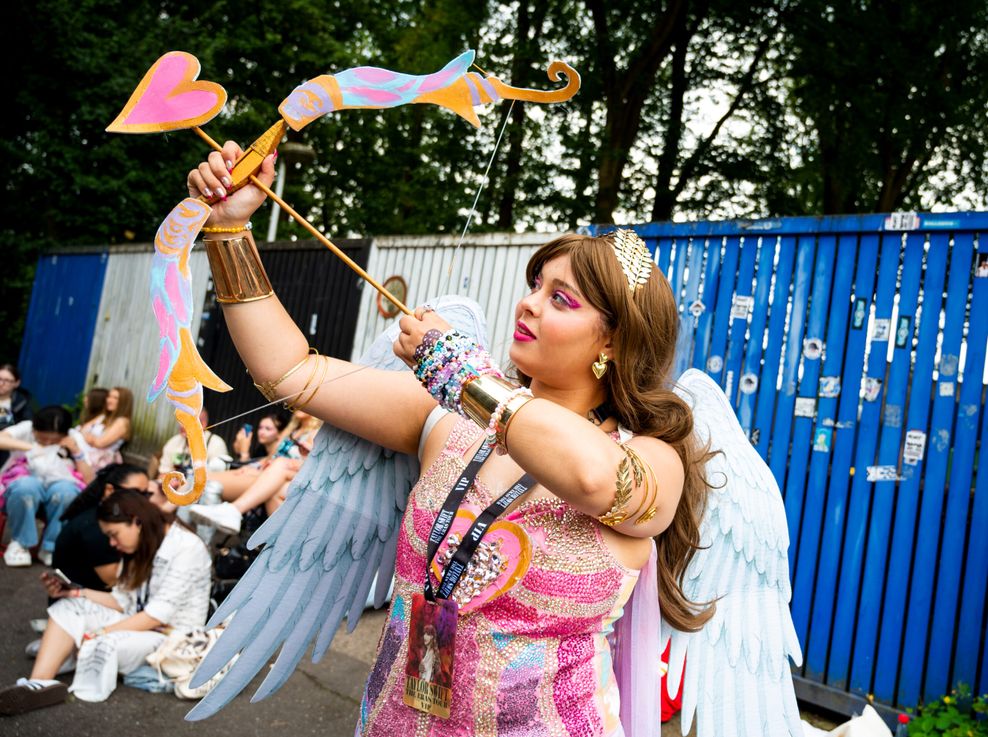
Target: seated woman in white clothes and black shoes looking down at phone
(164, 582)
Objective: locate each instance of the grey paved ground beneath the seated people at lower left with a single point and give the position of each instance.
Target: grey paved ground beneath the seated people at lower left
(319, 699)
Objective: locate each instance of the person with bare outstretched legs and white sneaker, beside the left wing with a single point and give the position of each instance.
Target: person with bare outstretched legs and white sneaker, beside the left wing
(271, 485)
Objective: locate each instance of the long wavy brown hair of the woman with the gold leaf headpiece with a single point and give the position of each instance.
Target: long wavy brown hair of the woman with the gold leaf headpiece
(644, 327)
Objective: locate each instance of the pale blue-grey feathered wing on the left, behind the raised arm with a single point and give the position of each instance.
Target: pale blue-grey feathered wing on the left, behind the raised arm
(337, 529)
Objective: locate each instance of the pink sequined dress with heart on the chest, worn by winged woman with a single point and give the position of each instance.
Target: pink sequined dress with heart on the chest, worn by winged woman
(533, 661)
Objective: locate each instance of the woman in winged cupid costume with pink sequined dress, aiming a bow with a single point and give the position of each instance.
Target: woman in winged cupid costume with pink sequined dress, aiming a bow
(549, 517)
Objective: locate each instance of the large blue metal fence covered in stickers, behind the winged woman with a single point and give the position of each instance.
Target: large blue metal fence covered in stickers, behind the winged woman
(853, 350)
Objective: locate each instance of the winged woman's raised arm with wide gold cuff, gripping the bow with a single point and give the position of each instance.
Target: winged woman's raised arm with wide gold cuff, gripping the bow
(385, 407)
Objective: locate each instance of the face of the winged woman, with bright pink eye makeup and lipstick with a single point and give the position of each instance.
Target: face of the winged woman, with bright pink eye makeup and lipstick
(558, 334)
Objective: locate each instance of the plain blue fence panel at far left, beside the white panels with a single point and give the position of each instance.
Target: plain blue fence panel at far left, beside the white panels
(61, 318)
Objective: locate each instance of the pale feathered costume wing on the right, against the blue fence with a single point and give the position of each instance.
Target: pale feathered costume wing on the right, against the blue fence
(737, 678)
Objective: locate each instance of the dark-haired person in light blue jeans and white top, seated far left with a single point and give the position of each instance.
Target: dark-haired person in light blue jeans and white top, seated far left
(47, 474)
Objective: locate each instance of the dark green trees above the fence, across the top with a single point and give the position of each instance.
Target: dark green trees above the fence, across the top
(689, 108)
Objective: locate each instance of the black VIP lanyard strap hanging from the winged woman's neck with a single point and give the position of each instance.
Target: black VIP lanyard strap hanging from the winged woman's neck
(471, 540)
